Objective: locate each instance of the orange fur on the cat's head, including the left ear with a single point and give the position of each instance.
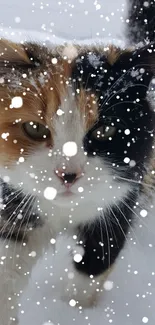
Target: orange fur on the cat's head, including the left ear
(42, 93)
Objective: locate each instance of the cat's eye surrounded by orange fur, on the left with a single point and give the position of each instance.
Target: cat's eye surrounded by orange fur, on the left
(36, 131)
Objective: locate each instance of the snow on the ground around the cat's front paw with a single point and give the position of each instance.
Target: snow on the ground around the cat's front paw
(131, 301)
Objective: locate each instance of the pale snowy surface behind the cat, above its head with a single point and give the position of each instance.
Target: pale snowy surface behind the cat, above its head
(70, 19)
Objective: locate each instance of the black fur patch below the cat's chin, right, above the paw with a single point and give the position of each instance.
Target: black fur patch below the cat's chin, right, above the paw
(104, 239)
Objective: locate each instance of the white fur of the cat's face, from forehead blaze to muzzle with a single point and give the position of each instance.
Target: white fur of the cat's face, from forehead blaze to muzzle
(100, 190)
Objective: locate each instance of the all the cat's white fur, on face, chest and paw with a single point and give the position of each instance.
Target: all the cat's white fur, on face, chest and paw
(100, 190)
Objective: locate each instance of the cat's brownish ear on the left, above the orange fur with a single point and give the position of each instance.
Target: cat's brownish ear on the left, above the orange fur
(15, 55)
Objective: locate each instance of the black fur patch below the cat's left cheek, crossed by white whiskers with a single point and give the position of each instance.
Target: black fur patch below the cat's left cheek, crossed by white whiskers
(18, 215)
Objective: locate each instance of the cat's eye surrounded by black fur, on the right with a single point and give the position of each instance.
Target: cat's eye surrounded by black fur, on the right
(103, 133)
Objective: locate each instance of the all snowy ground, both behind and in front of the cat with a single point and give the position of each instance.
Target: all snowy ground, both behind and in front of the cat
(132, 299)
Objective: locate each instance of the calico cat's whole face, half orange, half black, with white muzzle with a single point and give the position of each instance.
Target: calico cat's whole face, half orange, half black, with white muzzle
(74, 130)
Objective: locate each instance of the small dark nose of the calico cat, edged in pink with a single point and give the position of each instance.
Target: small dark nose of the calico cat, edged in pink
(68, 178)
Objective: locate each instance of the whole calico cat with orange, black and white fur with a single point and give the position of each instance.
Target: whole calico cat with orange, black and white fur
(76, 144)
